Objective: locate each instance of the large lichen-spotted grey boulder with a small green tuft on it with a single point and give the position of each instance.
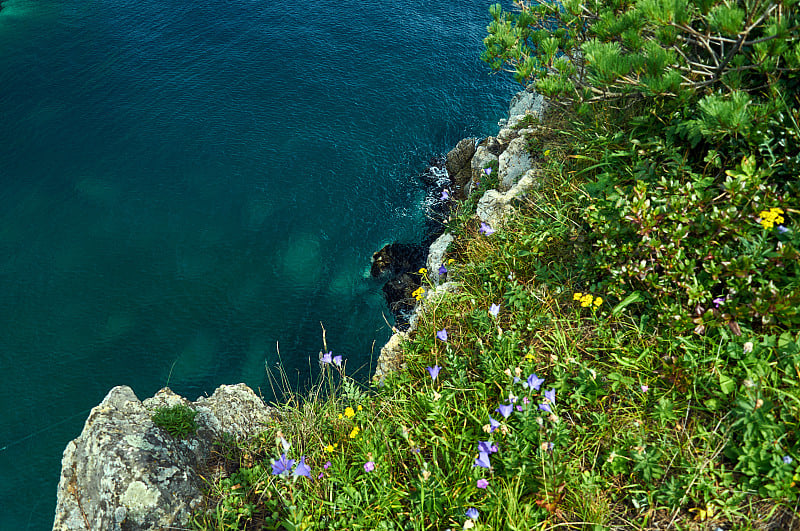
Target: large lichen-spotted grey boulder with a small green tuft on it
(124, 473)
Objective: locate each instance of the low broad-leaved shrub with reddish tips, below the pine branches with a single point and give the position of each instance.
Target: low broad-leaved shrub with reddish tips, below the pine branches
(706, 252)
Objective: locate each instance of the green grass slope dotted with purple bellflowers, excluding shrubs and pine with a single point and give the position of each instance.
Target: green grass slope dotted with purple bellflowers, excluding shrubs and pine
(651, 427)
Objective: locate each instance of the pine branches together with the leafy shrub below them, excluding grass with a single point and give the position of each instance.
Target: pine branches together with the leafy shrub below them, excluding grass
(691, 197)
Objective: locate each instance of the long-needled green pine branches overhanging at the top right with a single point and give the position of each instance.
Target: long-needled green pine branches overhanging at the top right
(617, 49)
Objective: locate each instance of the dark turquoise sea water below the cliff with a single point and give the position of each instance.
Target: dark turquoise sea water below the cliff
(188, 190)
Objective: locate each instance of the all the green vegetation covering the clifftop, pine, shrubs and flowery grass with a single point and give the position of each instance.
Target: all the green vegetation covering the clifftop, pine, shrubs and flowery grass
(623, 353)
